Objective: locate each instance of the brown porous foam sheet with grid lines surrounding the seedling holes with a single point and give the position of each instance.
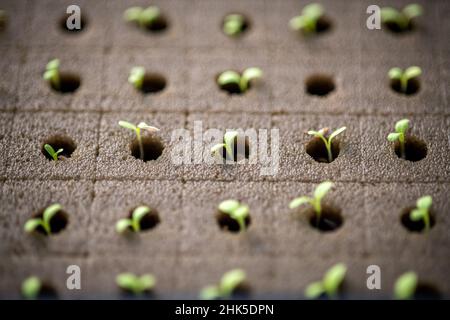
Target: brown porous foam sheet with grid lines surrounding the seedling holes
(102, 181)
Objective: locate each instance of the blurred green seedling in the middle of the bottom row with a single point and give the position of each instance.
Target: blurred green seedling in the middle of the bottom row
(228, 284)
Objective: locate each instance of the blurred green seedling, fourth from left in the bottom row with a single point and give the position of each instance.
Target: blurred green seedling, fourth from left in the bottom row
(330, 283)
